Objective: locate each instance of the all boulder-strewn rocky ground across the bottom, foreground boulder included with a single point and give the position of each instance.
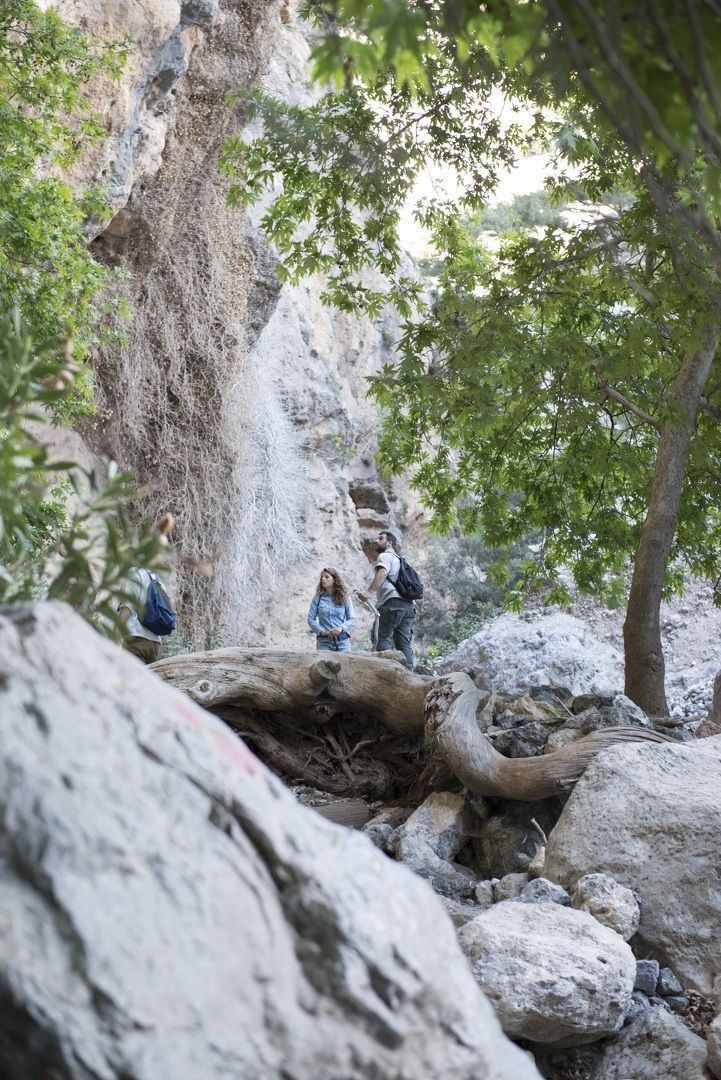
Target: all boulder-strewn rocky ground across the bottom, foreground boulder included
(171, 910)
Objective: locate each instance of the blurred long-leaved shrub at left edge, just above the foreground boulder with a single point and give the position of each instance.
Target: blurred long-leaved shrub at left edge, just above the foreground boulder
(48, 549)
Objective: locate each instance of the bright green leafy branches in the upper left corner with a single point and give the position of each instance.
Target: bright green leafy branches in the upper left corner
(46, 268)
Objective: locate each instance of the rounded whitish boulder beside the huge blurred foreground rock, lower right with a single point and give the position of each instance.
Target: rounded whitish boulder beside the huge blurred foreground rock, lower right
(555, 976)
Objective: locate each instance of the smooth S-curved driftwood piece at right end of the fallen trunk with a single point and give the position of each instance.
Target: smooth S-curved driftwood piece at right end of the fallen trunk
(454, 735)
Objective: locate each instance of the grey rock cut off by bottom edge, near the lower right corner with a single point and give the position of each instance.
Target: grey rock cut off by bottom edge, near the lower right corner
(657, 1046)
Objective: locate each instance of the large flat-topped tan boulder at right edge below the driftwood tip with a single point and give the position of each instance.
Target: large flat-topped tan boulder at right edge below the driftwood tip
(649, 817)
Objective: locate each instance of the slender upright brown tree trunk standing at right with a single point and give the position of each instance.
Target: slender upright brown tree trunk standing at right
(644, 655)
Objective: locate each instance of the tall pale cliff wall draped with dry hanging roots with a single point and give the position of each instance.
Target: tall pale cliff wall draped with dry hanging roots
(239, 402)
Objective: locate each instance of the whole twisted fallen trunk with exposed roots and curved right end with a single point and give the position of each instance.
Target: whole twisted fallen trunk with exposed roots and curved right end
(283, 703)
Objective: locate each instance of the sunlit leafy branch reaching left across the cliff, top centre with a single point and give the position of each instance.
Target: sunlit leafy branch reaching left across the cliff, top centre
(348, 164)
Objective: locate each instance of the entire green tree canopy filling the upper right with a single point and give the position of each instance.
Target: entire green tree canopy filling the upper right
(532, 390)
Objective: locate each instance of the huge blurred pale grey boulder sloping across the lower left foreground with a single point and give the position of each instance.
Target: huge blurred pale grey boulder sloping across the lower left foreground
(171, 911)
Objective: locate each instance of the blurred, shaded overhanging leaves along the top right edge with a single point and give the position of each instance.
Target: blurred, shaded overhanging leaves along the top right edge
(650, 73)
